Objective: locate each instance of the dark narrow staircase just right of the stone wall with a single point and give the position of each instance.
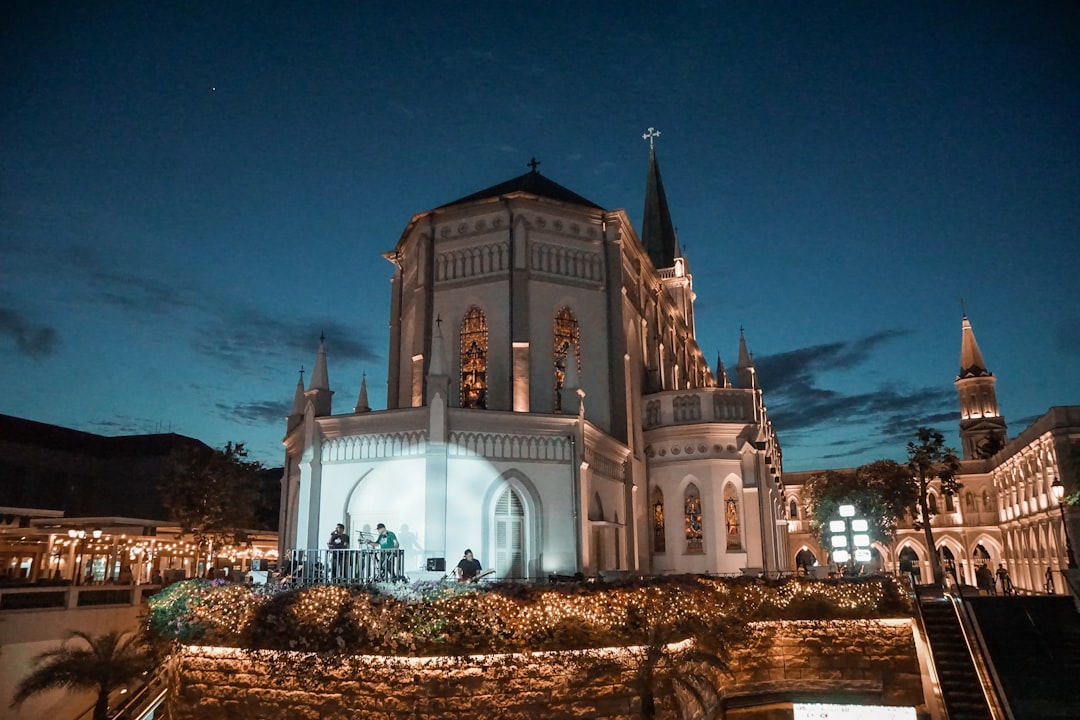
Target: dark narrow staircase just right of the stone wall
(962, 688)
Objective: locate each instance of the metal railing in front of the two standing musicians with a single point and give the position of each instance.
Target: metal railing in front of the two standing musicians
(347, 567)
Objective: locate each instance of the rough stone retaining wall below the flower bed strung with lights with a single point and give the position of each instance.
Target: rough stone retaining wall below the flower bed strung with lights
(871, 661)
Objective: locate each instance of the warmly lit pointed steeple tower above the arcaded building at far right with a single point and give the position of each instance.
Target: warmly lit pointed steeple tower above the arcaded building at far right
(983, 430)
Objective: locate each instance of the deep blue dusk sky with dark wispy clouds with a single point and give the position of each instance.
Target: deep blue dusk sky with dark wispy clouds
(191, 194)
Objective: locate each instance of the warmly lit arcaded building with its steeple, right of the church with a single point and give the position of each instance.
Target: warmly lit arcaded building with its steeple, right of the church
(1005, 514)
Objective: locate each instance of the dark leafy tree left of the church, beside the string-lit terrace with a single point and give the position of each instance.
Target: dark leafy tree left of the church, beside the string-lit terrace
(213, 495)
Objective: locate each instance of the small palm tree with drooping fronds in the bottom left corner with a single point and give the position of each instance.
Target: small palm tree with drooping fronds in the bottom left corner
(110, 662)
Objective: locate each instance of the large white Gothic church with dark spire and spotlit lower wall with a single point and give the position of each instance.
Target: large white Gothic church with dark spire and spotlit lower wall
(548, 404)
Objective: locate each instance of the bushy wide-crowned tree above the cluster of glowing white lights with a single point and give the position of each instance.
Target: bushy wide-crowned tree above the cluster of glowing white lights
(882, 492)
